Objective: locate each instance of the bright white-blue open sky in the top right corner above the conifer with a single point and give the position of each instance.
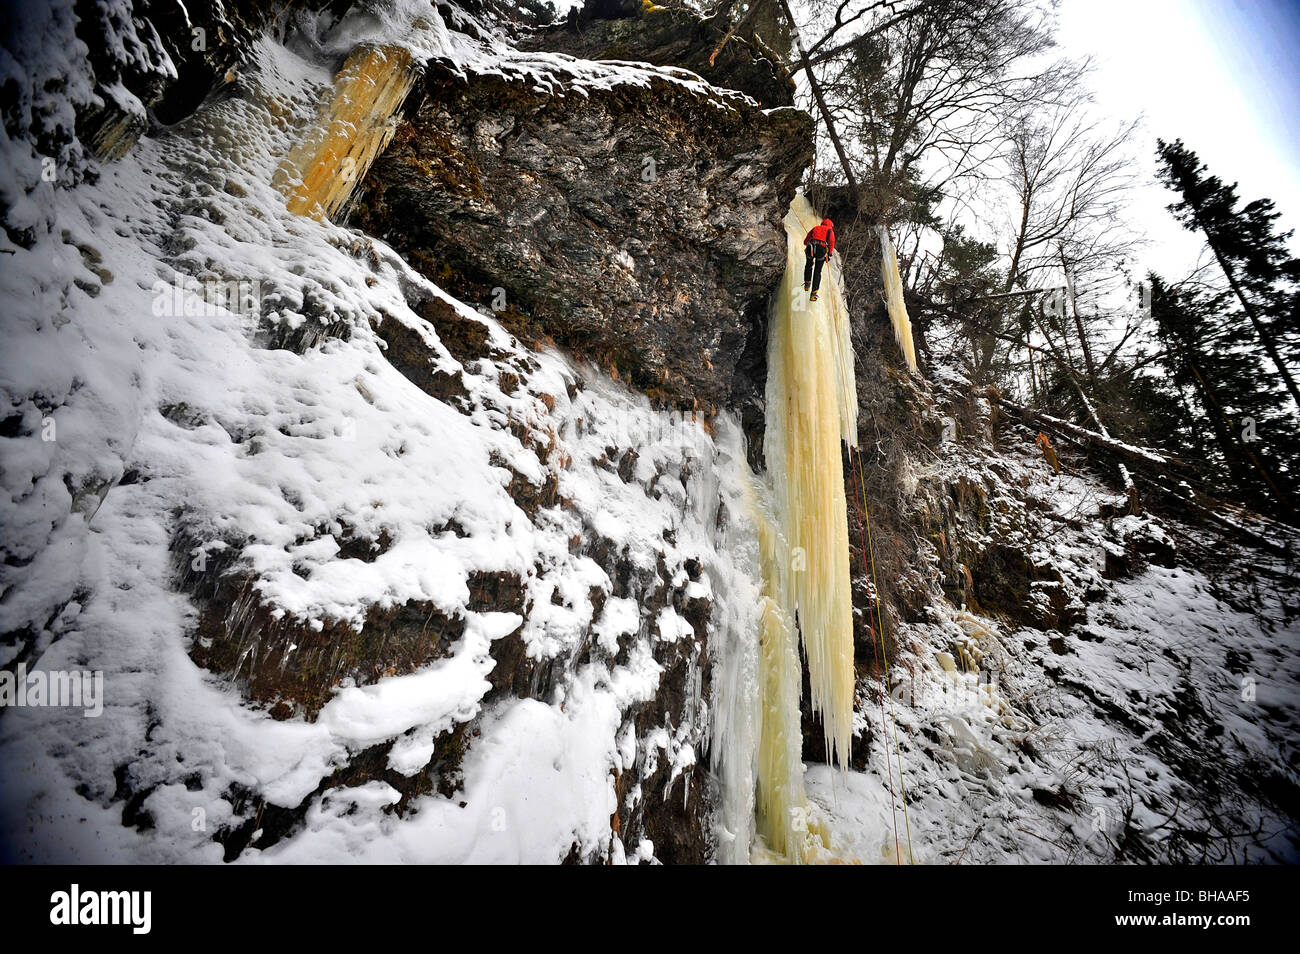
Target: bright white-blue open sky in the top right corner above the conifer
(1221, 75)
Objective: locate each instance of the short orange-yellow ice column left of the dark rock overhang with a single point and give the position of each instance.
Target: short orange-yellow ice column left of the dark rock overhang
(320, 174)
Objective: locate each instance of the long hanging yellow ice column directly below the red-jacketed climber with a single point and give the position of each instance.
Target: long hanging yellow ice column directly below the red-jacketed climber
(812, 407)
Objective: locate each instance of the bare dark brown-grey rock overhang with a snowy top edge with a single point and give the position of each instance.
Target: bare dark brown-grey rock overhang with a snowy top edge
(635, 224)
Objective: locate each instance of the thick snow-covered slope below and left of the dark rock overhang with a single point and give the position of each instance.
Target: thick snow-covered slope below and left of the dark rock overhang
(185, 424)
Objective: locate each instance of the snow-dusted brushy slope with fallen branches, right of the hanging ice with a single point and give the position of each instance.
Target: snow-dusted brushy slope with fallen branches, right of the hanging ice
(1159, 730)
